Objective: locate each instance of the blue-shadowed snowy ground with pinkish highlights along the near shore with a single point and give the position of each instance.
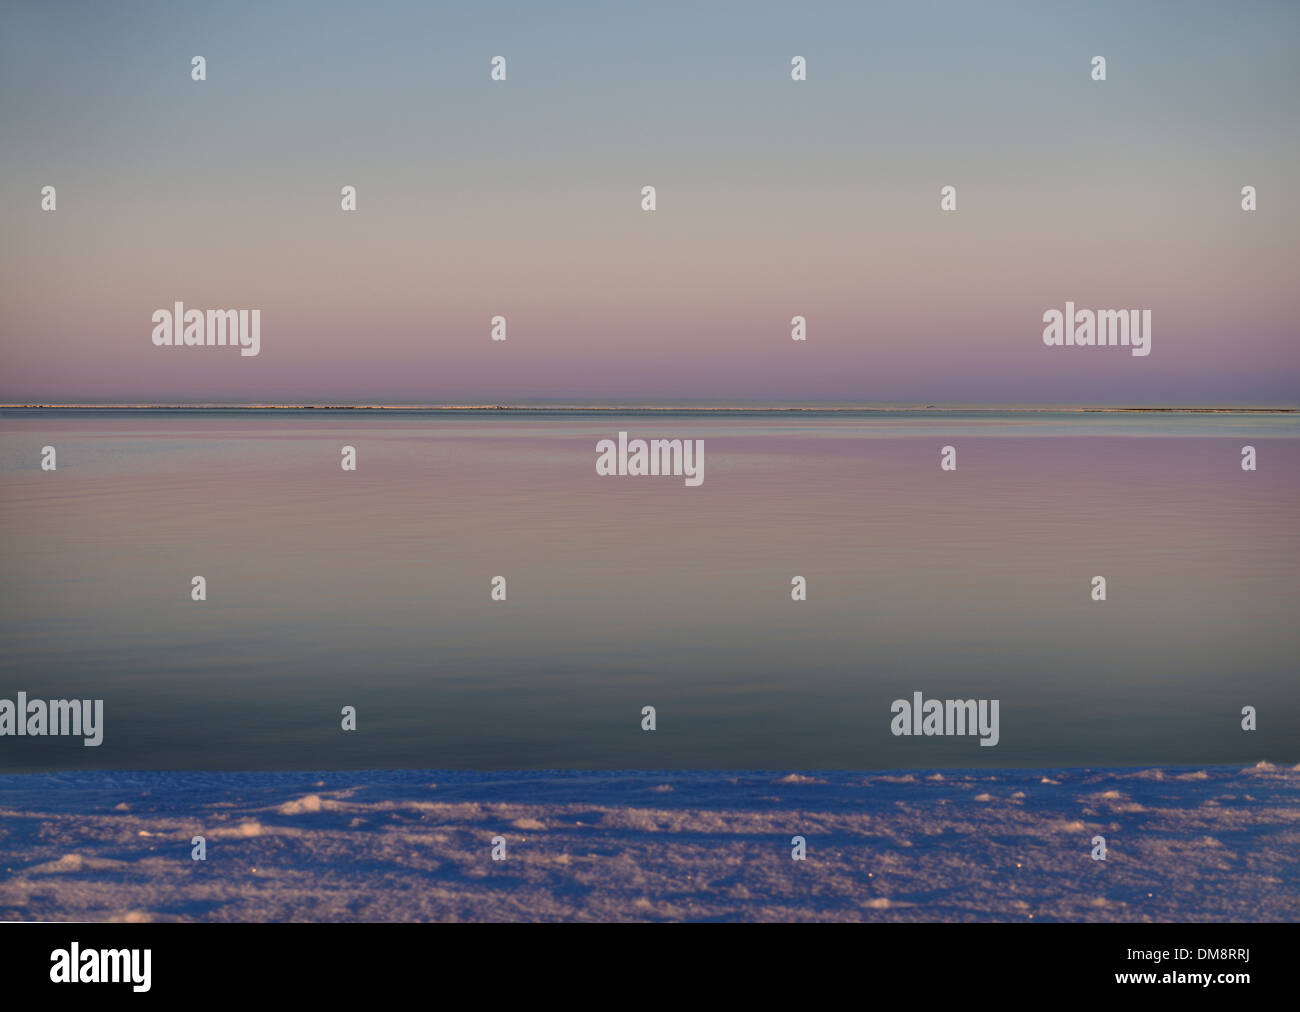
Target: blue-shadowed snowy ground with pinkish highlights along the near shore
(1182, 845)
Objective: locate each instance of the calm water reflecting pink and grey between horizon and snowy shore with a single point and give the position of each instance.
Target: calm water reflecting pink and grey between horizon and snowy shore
(371, 590)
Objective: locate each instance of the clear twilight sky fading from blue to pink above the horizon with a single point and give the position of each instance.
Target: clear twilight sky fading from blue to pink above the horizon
(774, 198)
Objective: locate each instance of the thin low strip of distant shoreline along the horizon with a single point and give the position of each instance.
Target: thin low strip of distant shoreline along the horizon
(677, 409)
